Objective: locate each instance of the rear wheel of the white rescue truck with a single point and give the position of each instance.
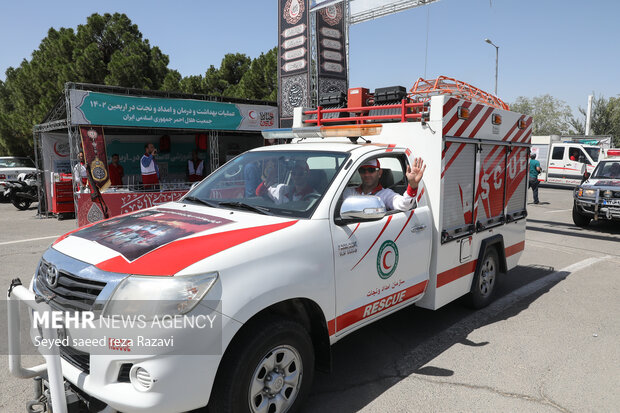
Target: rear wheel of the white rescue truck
(484, 285)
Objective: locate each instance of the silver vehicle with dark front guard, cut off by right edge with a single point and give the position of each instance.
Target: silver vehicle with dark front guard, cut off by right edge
(598, 196)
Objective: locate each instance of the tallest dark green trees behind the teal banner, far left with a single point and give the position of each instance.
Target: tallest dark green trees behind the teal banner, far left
(108, 49)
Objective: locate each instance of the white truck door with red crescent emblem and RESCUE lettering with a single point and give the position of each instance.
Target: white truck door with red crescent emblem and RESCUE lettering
(380, 265)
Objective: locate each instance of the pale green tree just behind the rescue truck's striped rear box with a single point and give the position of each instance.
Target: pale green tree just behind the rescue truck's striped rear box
(551, 116)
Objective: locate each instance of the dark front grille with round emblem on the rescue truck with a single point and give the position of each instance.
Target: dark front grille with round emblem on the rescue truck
(69, 292)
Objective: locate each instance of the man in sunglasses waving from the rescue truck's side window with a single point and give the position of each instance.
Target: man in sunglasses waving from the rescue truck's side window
(371, 172)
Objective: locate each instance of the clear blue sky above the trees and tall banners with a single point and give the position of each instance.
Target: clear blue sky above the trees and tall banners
(566, 48)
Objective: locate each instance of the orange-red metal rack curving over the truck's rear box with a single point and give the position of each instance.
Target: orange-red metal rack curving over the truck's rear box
(423, 89)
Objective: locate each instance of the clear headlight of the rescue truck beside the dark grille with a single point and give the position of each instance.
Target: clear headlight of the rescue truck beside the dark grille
(159, 296)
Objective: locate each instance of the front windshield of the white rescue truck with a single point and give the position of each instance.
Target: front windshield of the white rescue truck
(286, 183)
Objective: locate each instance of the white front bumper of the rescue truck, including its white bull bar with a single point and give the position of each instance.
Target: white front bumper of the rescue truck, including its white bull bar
(180, 381)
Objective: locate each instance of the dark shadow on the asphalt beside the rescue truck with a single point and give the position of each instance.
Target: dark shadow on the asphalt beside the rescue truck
(381, 354)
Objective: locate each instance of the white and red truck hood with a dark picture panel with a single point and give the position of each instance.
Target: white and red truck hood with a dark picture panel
(164, 240)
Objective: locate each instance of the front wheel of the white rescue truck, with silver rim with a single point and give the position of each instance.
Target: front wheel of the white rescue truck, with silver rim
(244, 363)
